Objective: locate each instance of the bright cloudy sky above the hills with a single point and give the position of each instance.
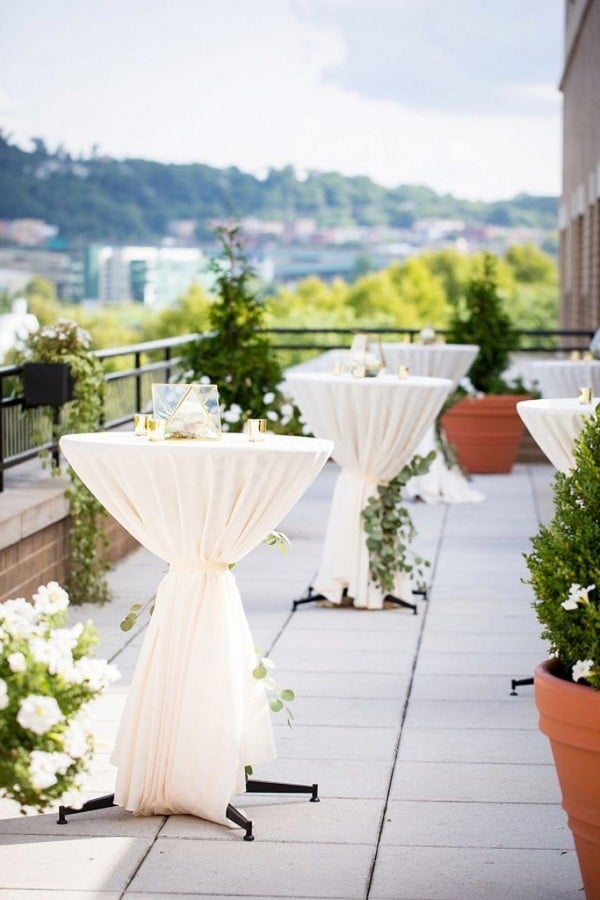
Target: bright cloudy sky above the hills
(458, 95)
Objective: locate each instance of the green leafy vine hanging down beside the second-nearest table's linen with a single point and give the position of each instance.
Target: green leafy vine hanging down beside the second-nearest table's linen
(390, 529)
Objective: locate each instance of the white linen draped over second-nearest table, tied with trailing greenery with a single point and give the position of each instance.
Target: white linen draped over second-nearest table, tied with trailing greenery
(375, 424)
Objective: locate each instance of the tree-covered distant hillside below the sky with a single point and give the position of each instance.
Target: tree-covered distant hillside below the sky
(132, 200)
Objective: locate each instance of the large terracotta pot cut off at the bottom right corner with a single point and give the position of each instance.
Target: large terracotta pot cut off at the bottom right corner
(570, 717)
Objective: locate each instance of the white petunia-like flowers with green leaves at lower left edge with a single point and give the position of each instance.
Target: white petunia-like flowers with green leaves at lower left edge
(47, 677)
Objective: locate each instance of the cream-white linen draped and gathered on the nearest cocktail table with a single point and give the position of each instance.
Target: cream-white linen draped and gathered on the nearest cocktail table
(195, 716)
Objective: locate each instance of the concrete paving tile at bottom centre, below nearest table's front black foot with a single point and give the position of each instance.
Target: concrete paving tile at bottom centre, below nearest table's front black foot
(219, 867)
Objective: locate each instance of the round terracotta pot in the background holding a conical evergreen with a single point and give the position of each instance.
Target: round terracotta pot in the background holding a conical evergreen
(485, 432)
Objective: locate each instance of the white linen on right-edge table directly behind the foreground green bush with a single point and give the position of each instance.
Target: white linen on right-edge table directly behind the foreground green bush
(555, 424)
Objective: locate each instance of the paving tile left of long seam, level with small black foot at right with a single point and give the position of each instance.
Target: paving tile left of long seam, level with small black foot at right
(347, 684)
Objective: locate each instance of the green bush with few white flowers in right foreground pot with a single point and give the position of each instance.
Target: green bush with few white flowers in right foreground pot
(564, 566)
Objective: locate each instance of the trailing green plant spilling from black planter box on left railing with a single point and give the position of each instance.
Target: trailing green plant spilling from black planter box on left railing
(66, 342)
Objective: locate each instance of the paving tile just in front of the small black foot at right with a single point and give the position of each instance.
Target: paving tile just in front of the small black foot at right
(480, 714)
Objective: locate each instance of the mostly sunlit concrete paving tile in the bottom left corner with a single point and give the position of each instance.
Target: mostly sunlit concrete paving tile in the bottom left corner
(100, 863)
